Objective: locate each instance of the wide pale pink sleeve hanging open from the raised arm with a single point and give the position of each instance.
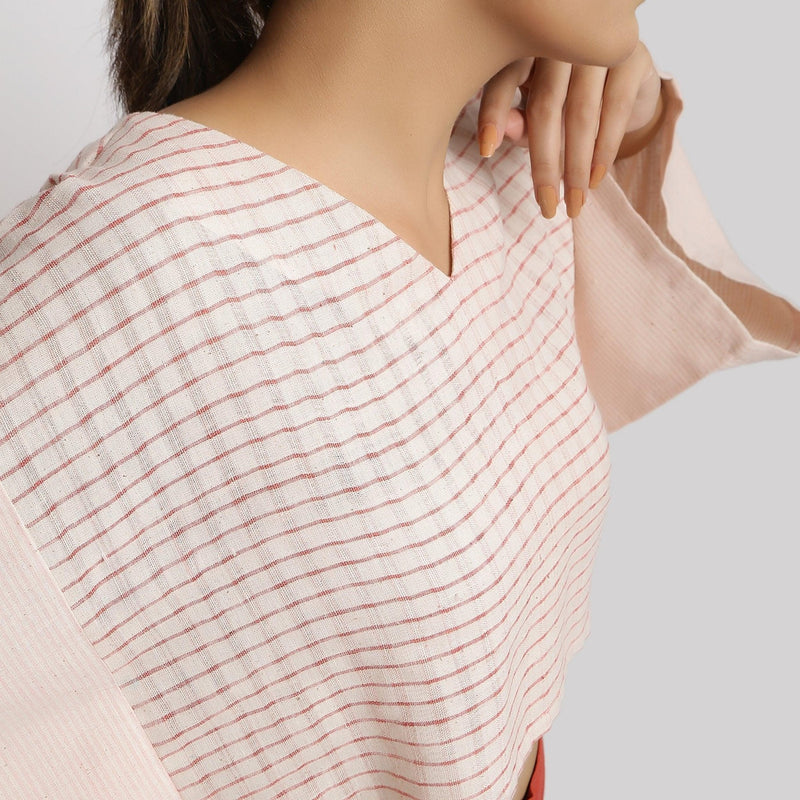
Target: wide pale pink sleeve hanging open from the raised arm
(661, 299)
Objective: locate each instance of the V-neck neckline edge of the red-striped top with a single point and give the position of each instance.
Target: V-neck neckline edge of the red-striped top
(450, 185)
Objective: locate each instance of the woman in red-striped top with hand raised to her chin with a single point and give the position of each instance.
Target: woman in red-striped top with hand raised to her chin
(293, 407)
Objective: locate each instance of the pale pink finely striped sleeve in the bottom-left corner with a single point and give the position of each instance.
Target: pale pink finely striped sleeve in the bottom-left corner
(66, 730)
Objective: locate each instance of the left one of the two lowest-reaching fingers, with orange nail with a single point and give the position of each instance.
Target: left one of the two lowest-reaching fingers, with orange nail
(549, 85)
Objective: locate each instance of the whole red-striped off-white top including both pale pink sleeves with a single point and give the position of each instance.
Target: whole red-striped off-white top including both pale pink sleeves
(286, 511)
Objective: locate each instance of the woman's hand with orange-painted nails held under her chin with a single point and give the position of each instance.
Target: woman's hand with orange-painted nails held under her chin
(576, 119)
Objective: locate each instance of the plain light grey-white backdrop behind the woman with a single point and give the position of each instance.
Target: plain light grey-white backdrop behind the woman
(687, 687)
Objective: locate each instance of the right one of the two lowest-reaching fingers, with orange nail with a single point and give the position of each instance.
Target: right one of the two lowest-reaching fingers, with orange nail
(582, 116)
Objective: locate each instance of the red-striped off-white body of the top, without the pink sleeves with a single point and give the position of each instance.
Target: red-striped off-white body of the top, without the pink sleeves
(498, 617)
